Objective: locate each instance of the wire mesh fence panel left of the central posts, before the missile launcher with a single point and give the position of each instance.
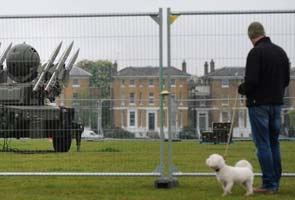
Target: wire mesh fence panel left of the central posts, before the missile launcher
(37, 122)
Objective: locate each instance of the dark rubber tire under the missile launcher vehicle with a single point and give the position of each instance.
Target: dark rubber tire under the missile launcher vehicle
(62, 142)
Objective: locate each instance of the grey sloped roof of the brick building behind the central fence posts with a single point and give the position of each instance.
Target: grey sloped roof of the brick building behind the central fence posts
(150, 72)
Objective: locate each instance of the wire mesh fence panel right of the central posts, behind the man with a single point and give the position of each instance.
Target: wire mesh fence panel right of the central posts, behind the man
(213, 46)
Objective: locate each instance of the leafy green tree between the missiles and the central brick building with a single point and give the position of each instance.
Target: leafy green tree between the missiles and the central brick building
(102, 71)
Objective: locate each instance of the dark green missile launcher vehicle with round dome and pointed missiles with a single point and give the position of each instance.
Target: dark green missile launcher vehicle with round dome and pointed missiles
(27, 94)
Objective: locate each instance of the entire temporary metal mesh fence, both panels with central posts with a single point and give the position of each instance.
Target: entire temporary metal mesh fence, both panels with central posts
(134, 110)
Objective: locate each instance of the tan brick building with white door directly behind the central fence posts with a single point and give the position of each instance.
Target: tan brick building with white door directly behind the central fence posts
(136, 99)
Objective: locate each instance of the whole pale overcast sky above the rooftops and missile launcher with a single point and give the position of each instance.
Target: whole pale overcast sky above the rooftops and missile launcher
(134, 41)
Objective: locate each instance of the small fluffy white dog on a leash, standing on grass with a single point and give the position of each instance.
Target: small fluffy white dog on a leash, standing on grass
(241, 173)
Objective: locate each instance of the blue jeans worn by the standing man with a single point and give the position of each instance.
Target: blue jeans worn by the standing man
(265, 122)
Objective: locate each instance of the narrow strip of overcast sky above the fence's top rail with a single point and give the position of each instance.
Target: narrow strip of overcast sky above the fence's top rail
(85, 6)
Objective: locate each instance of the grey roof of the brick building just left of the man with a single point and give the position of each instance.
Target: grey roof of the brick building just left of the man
(229, 72)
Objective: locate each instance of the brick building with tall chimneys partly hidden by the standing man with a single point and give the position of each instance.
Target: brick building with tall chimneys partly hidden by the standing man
(215, 94)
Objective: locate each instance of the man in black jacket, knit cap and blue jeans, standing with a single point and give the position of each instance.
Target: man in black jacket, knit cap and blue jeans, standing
(267, 75)
